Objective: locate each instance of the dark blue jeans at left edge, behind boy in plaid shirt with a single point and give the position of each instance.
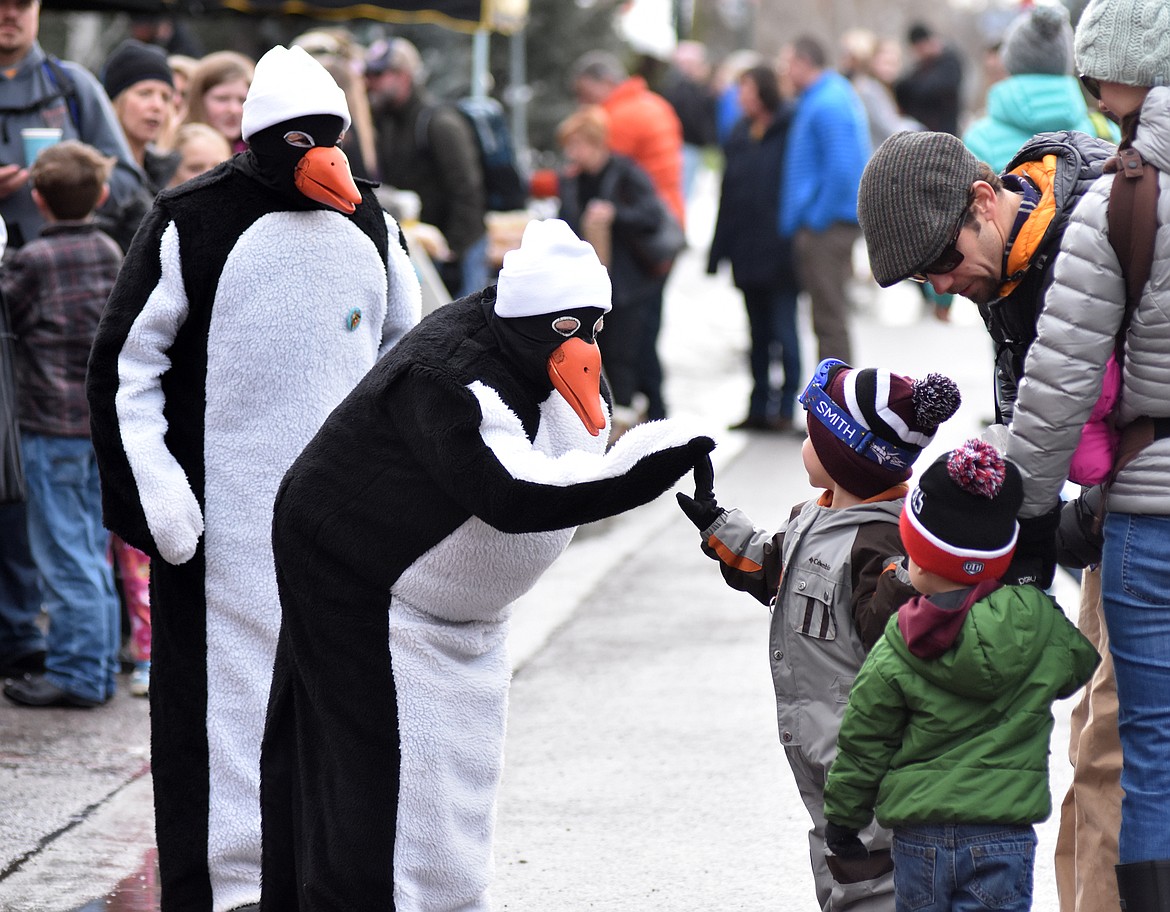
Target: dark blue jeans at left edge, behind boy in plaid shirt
(20, 587)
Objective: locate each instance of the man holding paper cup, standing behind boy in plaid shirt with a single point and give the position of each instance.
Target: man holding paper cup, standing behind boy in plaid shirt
(38, 91)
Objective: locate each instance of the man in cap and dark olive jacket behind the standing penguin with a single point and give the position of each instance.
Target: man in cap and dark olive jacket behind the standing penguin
(430, 149)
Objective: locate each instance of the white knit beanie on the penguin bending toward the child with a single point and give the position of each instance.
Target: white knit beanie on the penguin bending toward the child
(553, 270)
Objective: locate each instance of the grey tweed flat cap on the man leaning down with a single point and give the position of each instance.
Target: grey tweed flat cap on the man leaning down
(913, 194)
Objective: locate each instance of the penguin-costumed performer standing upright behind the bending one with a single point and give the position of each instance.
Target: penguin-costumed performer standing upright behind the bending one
(252, 301)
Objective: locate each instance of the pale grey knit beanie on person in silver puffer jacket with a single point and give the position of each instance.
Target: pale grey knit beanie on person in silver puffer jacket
(1126, 42)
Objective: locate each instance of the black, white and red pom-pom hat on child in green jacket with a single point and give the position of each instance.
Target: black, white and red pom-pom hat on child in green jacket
(960, 520)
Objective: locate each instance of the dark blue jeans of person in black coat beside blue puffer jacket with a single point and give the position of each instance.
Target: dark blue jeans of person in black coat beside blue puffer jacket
(773, 324)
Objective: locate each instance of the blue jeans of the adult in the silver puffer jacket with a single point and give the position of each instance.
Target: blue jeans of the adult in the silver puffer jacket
(1135, 588)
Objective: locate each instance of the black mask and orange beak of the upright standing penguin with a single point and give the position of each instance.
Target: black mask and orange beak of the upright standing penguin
(300, 160)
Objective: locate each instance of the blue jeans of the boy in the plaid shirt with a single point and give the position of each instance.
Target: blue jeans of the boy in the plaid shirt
(68, 544)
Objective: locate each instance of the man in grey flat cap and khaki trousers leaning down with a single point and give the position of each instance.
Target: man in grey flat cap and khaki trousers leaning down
(996, 241)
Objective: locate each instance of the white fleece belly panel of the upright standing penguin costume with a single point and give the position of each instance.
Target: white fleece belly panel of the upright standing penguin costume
(294, 328)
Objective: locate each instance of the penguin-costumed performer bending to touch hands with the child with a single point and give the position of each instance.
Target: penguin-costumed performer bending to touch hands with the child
(436, 495)
